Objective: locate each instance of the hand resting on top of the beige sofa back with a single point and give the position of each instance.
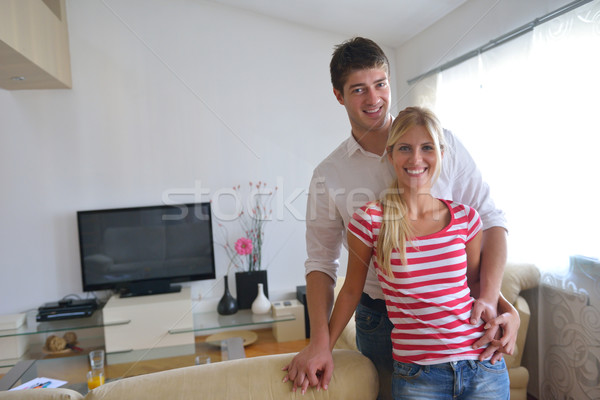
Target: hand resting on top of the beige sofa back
(313, 366)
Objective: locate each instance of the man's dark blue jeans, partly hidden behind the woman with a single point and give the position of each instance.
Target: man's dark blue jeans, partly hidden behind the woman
(374, 340)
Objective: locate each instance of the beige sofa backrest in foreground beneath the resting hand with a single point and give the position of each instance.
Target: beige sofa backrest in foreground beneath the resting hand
(354, 377)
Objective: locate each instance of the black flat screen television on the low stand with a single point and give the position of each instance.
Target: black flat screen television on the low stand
(143, 250)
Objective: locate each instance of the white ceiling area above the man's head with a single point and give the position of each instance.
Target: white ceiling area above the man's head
(388, 22)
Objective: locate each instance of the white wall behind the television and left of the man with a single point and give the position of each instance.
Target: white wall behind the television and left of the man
(165, 94)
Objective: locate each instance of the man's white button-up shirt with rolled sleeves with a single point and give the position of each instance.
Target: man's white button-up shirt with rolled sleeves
(350, 177)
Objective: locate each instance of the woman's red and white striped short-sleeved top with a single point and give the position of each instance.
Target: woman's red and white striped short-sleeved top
(428, 300)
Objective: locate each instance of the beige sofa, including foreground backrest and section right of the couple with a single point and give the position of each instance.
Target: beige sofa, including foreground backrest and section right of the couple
(260, 378)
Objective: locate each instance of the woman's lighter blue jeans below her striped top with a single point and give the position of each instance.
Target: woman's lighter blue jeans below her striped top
(466, 380)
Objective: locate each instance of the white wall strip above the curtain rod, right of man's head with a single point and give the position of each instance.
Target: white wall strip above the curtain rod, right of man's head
(471, 25)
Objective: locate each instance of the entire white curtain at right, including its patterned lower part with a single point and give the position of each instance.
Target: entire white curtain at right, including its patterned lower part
(528, 111)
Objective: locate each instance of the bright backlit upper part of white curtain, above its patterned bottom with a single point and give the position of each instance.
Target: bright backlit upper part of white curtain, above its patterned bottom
(528, 113)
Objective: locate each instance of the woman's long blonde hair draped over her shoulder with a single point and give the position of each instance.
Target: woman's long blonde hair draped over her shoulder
(395, 229)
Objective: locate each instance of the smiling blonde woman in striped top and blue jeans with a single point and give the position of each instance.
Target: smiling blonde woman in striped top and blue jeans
(426, 253)
